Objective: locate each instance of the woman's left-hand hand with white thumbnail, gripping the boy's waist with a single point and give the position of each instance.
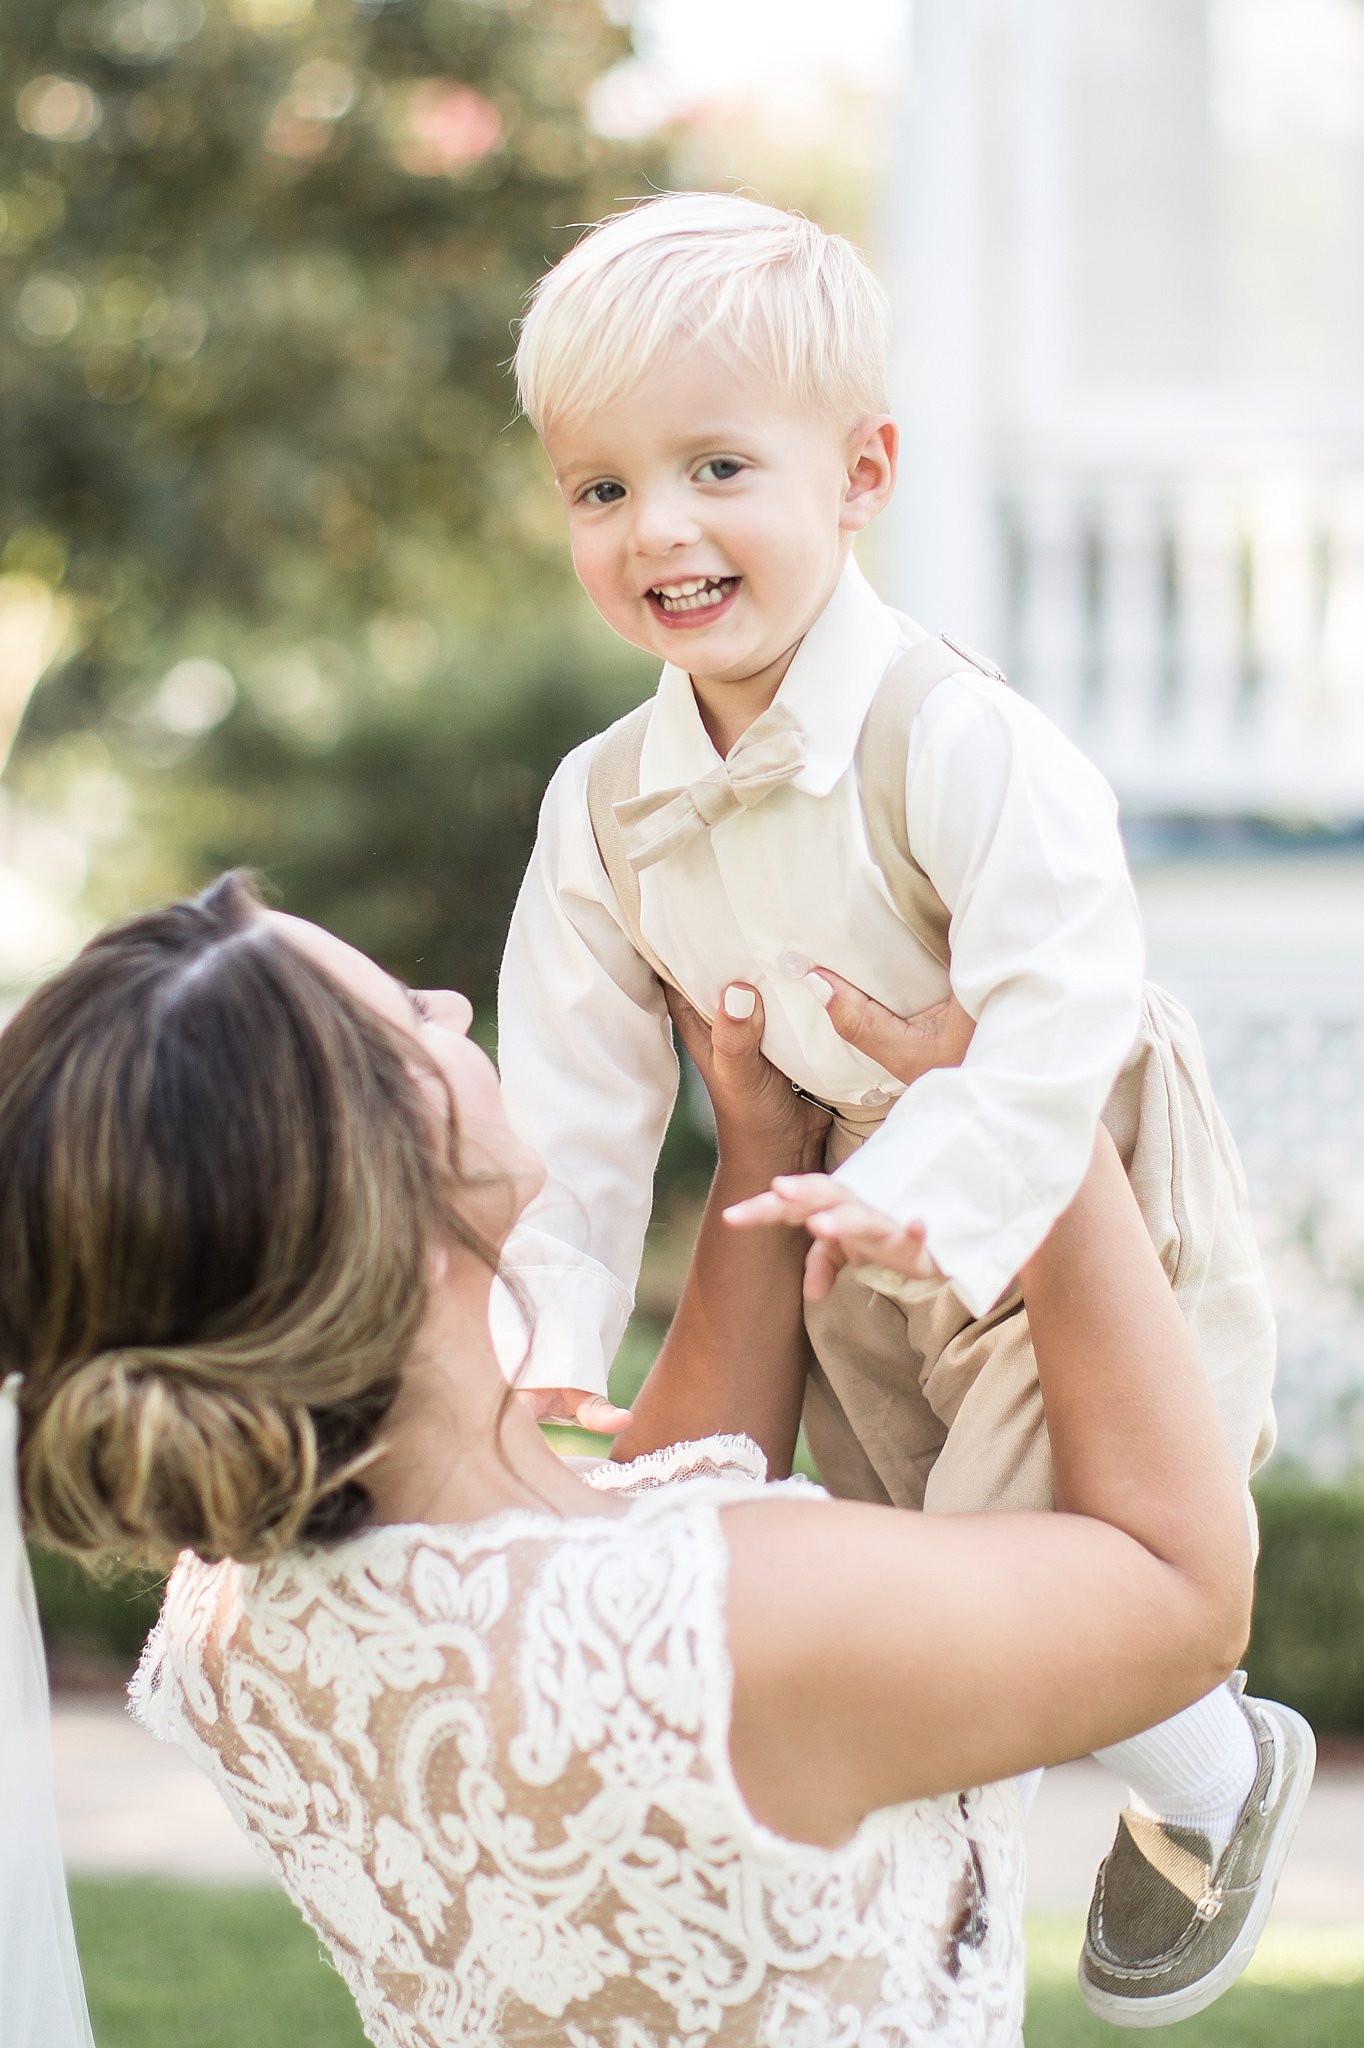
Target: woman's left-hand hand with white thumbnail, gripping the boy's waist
(757, 1109)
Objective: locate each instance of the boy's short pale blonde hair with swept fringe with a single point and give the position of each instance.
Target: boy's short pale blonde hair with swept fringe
(771, 288)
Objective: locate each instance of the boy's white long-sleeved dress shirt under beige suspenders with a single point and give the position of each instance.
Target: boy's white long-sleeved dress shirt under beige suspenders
(1019, 835)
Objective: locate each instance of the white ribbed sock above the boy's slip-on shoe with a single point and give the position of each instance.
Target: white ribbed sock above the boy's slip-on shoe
(1193, 1770)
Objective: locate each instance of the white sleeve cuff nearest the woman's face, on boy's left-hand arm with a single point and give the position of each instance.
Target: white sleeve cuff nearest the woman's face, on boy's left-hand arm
(564, 1330)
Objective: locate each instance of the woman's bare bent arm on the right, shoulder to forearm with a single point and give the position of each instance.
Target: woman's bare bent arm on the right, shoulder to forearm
(884, 1656)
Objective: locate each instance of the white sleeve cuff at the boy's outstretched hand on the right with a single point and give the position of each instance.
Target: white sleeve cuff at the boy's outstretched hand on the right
(982, 1218)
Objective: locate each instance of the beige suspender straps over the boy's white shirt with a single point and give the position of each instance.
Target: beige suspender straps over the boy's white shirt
(884, 755)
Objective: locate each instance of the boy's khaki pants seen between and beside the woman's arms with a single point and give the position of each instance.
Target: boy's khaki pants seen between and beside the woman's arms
(925, 1406)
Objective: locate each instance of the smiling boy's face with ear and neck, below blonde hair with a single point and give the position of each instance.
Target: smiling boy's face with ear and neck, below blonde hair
(712, 517)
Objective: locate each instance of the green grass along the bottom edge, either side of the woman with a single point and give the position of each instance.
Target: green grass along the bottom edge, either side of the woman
(194, 1967)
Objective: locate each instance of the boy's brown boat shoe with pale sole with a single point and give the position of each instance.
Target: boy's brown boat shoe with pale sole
(1173, 1924)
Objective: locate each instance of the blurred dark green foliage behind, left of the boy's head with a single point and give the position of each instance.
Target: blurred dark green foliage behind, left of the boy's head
(261, 263)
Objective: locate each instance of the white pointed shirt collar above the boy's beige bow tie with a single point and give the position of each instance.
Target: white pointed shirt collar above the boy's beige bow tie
(828, 689)
